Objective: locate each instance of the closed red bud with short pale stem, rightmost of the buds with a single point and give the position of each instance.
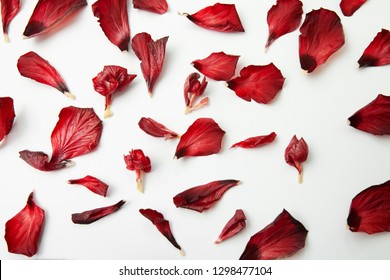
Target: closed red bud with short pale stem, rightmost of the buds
(296, 152)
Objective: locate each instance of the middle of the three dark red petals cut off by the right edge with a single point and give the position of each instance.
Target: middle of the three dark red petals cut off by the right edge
(374, 117)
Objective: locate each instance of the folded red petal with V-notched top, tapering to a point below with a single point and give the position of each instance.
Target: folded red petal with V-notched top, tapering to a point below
(152, 55)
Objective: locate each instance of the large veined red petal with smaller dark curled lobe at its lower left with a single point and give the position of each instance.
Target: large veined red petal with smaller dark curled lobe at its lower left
(76, 133)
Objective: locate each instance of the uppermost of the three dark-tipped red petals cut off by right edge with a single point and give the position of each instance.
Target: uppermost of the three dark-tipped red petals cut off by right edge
(378, 51)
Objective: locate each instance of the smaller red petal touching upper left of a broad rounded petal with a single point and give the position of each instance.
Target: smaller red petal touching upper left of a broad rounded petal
(217, 66)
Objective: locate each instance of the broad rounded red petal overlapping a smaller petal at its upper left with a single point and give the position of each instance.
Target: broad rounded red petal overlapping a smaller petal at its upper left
(258, 83)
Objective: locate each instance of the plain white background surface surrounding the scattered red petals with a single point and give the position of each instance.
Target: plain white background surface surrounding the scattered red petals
(342, 160)
